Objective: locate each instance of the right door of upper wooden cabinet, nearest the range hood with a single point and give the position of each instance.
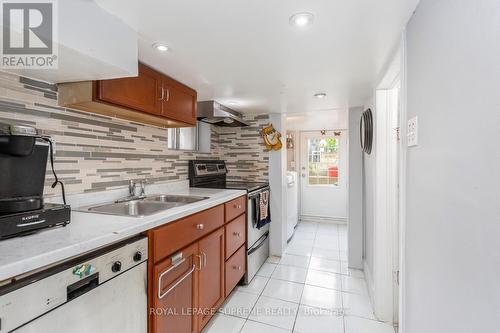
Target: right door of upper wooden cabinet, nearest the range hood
(179, 102)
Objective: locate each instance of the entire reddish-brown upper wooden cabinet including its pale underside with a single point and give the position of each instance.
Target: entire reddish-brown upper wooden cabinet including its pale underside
(151, 98)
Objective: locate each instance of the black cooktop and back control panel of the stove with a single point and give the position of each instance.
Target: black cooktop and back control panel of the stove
(213, 174)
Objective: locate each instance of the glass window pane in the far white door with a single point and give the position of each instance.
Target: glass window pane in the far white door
(323, 156)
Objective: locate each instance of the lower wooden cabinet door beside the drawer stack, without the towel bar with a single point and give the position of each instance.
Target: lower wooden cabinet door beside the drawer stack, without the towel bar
(211, 275)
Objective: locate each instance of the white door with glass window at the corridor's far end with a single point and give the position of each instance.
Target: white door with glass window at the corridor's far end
(323, 174)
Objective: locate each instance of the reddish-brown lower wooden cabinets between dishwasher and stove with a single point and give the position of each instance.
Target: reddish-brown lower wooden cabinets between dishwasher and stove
(187, 269)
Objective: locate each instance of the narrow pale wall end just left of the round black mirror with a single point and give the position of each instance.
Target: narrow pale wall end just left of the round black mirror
(355, 191)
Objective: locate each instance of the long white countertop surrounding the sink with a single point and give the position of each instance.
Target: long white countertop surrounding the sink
(89, 231)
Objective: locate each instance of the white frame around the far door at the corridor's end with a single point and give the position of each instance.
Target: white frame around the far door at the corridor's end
(345, 173)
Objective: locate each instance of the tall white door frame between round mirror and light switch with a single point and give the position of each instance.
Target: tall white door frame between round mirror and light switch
(383, 287)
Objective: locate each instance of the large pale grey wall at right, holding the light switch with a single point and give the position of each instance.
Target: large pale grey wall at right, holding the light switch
(453, 180)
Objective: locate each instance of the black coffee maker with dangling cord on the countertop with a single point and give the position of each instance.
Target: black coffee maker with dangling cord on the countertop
(23, 165)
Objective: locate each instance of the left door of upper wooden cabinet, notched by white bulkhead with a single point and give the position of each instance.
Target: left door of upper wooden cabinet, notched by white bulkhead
(142, 92)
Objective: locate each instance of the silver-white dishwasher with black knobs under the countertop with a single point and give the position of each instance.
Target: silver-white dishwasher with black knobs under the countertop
(102, 292)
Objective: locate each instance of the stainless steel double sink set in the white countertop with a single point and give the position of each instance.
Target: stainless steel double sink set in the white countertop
(143, 207)
